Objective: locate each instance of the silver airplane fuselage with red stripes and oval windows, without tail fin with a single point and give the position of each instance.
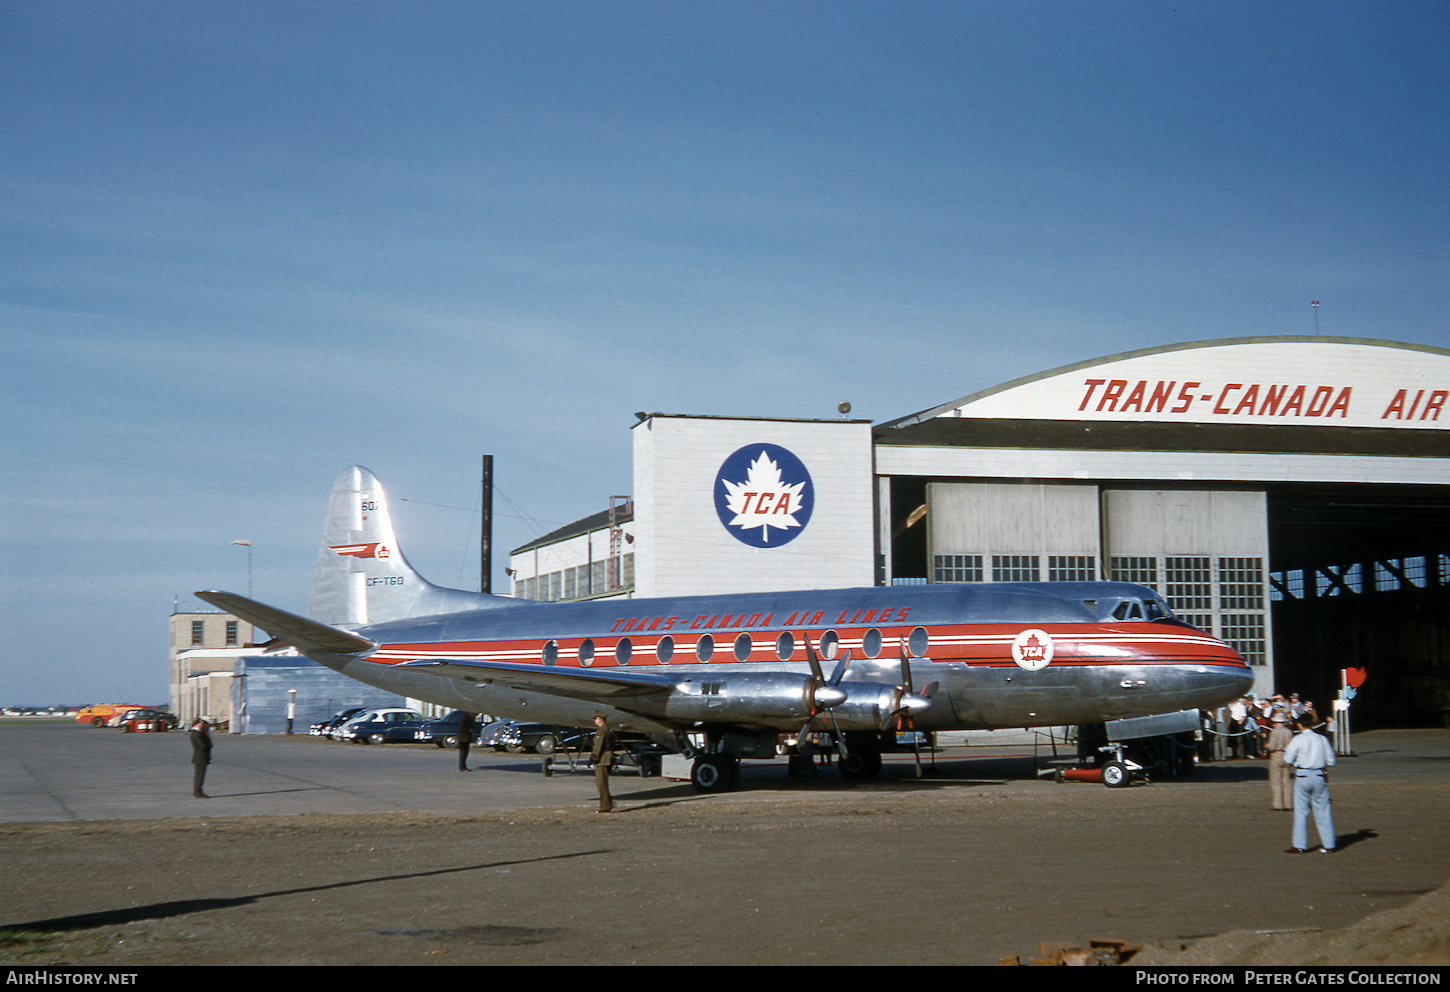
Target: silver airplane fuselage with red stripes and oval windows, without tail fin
(1020, 655)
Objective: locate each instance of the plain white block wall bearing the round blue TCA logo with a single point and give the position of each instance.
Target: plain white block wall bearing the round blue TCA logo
(742, 505)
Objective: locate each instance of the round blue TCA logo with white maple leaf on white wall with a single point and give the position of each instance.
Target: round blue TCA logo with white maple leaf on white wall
(765, 495)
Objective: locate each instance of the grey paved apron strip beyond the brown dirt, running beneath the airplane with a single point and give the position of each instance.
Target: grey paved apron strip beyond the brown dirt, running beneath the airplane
(67, 772)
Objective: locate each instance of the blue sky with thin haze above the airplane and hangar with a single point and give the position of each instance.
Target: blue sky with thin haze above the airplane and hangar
(249, 244)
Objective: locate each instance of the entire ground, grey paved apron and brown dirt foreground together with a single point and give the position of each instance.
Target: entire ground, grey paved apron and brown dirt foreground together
(324, 853)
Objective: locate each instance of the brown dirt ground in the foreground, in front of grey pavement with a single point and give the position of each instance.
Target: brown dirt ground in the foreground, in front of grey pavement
(892, 875)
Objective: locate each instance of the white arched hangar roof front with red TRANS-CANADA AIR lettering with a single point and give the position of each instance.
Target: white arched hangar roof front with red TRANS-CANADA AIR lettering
(1275, 394)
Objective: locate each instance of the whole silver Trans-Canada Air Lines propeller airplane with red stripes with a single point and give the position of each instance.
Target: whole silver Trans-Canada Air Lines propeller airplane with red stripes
(724, 677)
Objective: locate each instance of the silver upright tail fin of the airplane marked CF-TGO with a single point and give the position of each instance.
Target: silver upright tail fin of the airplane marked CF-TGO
(362, 575)
